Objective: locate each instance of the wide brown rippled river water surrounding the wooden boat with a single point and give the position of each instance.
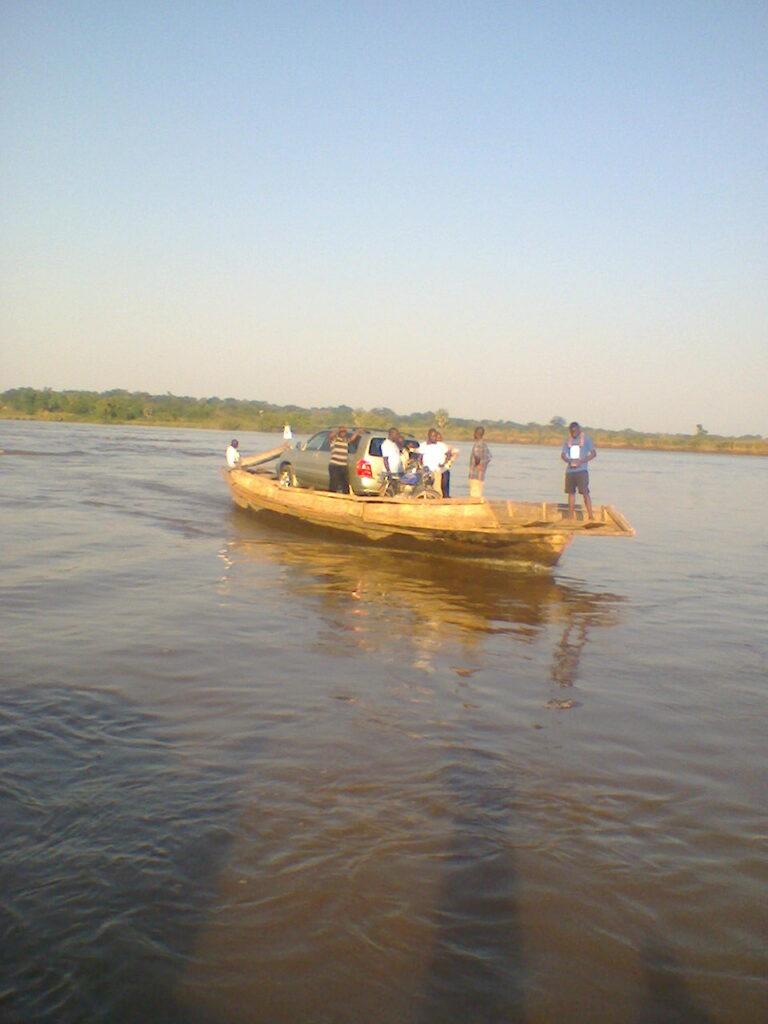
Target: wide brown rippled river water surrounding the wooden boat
(249, 774)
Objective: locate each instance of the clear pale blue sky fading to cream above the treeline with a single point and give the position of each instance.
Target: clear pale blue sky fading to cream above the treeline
(510, 210)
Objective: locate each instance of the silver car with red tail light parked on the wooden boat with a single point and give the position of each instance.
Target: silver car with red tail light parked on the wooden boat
(307, 464)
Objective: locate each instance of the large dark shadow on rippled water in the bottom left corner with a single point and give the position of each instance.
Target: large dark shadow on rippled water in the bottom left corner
(109, 852)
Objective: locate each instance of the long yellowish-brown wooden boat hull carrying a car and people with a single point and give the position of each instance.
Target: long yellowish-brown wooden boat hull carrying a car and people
(522, 532)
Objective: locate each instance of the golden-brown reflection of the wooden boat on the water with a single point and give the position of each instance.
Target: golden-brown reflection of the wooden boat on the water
(373, 596)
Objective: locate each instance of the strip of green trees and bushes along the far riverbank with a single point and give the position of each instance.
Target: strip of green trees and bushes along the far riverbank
(234, 414)
